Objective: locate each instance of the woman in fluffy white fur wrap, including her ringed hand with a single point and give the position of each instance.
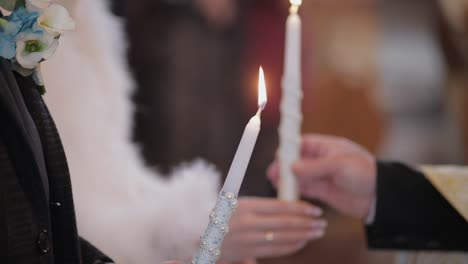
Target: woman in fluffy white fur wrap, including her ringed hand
(124, 208)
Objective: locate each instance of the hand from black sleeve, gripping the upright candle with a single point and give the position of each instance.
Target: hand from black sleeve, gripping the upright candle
(335, 171)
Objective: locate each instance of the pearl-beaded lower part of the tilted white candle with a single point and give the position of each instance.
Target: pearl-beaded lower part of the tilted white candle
(211, 241)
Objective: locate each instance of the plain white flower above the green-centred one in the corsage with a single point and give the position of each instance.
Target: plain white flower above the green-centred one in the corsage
(55, 19)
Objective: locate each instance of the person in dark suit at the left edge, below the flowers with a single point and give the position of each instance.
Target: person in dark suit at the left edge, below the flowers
(37, 218)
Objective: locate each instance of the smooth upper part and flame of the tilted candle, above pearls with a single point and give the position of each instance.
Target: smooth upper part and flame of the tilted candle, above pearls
(249, 138)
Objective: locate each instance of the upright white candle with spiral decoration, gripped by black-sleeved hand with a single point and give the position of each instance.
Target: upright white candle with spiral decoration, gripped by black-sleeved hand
(291, 115)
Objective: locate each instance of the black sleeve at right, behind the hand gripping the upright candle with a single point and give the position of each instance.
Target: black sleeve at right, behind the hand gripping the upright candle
(411, 214)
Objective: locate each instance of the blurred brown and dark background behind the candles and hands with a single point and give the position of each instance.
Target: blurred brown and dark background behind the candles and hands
(389, 74)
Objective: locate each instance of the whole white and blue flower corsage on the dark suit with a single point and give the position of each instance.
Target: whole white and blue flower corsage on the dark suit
(30, 34)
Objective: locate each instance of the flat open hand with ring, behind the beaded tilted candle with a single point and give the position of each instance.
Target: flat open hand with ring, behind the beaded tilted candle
(264, 227)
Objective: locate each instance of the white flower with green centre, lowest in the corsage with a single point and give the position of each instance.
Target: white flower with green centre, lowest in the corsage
(32, 48)
